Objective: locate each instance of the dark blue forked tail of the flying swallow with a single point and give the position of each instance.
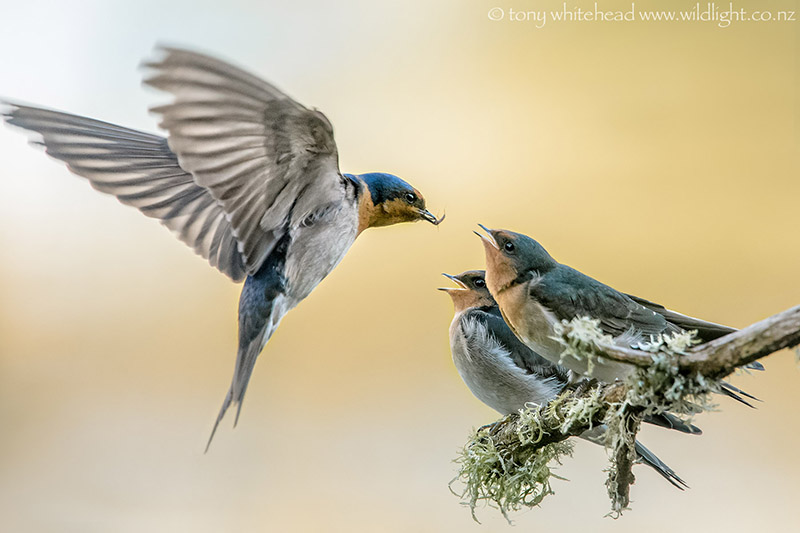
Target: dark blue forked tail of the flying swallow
(262, 305)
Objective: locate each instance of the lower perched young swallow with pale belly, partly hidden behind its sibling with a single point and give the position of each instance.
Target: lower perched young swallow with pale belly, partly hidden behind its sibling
(506, 375)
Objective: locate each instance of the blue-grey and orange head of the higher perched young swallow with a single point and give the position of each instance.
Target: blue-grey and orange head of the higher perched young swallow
(512, 258)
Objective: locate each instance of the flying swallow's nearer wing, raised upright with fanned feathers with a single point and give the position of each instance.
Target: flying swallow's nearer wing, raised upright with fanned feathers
(270, 162)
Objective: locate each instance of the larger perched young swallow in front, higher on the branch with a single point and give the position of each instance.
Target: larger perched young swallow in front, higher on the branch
(534, 292)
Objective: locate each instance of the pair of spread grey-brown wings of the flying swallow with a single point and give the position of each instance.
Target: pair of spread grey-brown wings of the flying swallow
(244, 162)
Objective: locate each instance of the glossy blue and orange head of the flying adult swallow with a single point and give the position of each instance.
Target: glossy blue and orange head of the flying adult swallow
(388, 200)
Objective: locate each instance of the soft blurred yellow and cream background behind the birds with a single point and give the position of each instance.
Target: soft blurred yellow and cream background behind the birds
(660, 158)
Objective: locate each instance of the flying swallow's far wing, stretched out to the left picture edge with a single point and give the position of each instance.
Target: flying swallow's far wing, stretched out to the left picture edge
(140, 170)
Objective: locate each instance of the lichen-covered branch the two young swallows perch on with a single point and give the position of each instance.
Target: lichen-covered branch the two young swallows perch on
(509, 464)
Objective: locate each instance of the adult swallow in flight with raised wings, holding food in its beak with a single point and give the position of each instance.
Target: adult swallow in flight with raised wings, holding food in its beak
(247, 177)
